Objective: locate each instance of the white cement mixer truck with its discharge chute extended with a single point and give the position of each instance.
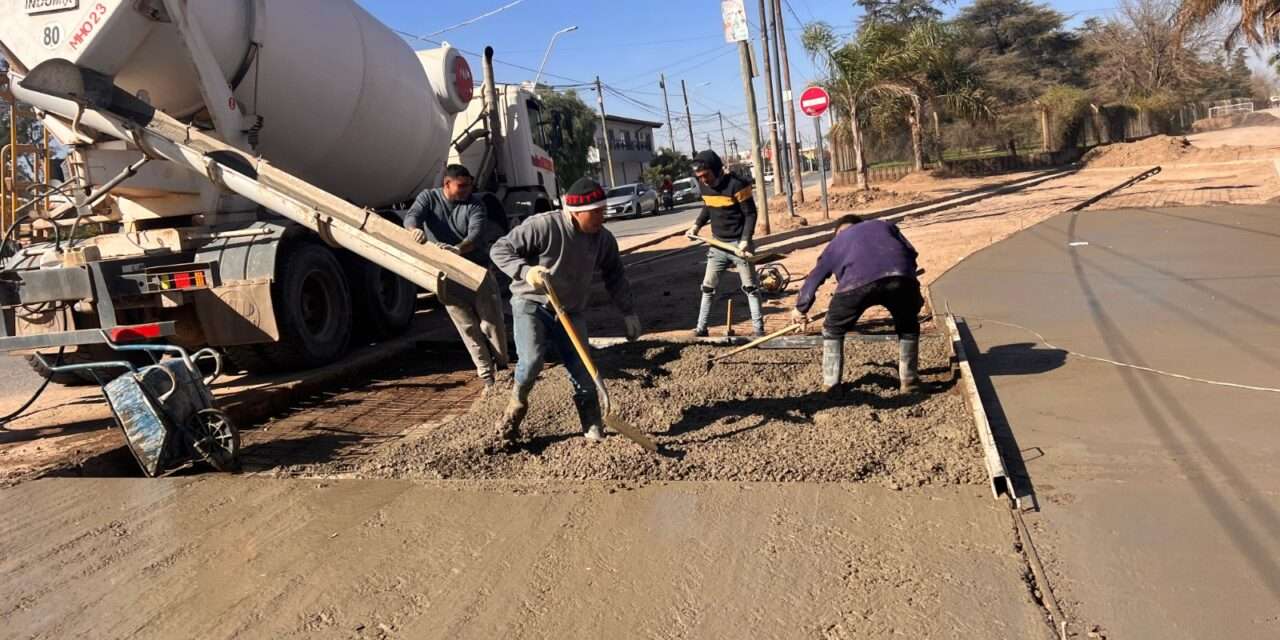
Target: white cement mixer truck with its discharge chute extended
(248, 157)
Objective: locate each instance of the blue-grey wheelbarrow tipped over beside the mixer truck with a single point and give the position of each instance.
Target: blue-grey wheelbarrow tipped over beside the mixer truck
(167, 413)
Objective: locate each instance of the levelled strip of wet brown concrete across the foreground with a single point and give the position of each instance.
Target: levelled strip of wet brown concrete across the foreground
(303, 559)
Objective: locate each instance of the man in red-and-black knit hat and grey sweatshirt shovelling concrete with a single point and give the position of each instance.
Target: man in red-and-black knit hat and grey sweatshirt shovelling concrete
(565, 249)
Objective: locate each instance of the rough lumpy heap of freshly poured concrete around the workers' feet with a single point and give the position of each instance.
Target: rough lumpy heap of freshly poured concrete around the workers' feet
(757, 417)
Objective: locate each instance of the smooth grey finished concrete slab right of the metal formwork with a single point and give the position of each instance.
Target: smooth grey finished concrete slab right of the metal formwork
(1160, 496)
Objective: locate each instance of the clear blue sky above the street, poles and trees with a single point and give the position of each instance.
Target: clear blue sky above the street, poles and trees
(629, 43)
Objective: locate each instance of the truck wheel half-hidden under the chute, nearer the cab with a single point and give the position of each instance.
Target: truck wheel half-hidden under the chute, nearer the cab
(385, 303)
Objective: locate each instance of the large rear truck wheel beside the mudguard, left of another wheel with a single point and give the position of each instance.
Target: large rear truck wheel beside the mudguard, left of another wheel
(313, 309)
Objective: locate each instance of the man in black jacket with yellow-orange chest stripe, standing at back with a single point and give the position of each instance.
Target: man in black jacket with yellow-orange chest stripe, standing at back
(730, 208)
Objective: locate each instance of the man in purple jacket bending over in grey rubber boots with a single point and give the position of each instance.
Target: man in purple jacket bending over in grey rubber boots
(874, 266)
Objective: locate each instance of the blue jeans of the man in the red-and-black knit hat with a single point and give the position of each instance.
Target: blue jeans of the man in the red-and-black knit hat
(536, 327)
